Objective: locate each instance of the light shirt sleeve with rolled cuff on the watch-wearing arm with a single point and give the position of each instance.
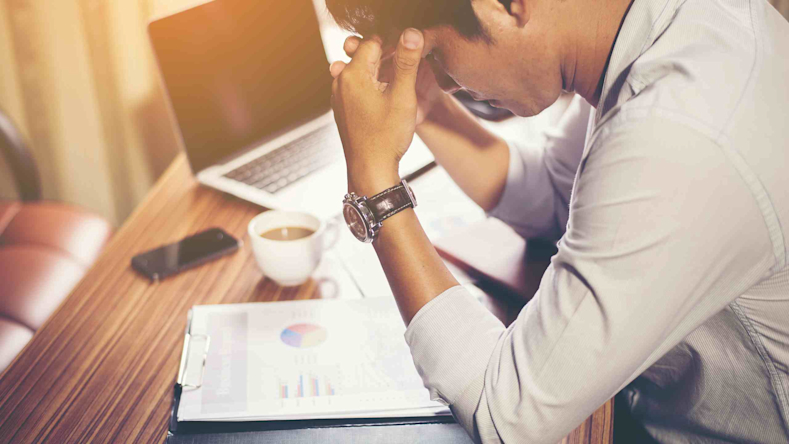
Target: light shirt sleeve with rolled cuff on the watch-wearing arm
(652, 250)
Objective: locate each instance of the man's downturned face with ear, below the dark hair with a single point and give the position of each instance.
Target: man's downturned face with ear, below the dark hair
(518, 69)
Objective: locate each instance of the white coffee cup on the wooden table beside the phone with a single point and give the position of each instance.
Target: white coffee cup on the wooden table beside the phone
(287, 262)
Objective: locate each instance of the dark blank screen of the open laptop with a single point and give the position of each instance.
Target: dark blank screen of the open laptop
(239, 71)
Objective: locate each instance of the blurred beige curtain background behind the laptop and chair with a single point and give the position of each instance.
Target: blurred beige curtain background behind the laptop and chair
(79, 79)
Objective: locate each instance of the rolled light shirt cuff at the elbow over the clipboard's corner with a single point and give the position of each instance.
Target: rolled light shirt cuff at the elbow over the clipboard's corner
(451, 339)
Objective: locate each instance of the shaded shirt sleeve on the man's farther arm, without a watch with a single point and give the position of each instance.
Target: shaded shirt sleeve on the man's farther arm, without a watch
(540, 178)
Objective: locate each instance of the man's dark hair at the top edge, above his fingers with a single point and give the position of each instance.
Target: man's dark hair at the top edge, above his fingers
(384, 17)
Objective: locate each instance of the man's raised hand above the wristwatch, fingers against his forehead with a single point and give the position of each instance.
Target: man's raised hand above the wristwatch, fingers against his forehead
(377, 120)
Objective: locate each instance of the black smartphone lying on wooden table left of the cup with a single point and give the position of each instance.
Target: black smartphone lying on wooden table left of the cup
(187, 253)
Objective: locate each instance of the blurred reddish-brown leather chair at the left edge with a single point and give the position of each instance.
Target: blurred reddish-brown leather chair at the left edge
(45, 249)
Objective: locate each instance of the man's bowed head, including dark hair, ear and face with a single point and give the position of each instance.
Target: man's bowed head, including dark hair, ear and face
(506, 51)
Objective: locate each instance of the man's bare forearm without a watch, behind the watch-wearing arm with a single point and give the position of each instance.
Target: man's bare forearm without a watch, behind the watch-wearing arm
(476, 159)
